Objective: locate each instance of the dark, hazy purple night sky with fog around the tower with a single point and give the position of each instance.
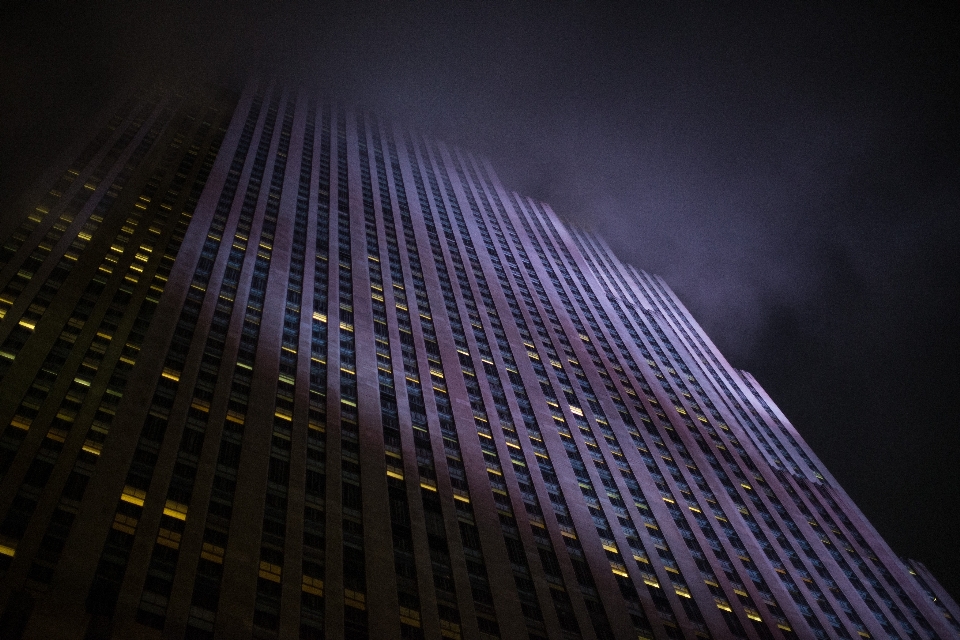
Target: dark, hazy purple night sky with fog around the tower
(792, 172)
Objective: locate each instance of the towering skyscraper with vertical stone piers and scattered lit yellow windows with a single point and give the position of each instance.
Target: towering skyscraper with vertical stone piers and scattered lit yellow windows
(274, 368)
